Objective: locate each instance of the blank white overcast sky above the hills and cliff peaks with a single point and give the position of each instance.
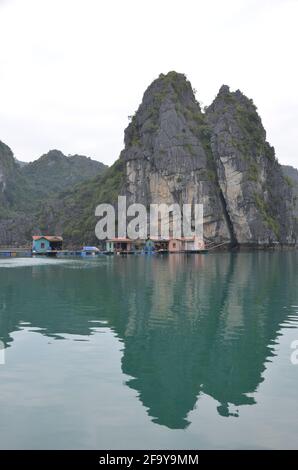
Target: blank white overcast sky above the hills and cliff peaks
(72, 71)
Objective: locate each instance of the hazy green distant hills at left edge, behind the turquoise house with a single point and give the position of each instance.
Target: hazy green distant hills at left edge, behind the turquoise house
(27, 188)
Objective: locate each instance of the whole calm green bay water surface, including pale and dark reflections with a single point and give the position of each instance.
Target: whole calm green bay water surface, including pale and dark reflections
(186, 352)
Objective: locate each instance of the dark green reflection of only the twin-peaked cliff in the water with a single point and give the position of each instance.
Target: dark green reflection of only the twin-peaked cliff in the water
(205, 330)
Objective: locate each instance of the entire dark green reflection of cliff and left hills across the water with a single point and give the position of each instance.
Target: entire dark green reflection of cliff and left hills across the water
(190, 325)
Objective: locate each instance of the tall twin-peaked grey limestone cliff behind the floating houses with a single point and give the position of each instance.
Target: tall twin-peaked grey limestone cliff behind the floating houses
(176, 153)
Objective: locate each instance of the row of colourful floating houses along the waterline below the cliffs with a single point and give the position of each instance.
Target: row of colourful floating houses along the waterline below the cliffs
(52, 245)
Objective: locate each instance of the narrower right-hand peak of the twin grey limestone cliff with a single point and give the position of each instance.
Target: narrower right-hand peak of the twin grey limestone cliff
(258, 200)
